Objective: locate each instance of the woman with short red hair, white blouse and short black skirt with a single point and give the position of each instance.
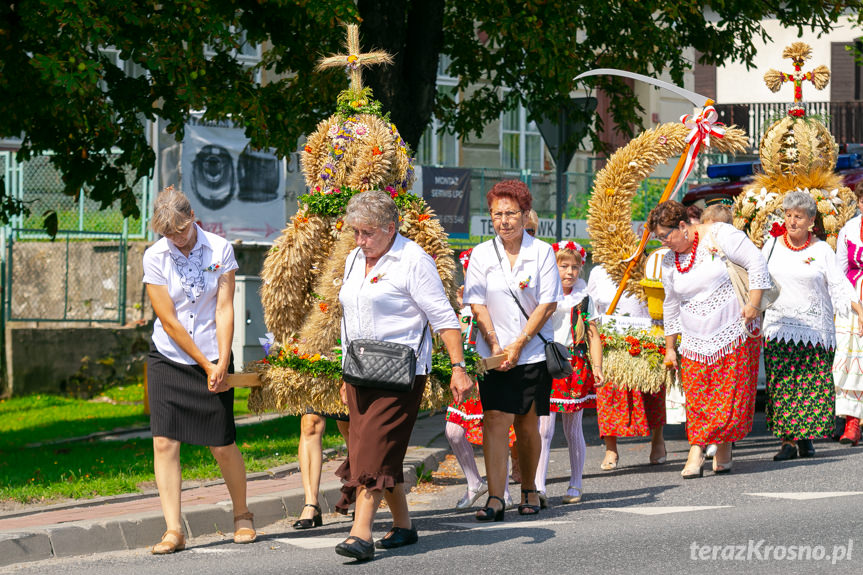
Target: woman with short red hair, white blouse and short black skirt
(512, 265)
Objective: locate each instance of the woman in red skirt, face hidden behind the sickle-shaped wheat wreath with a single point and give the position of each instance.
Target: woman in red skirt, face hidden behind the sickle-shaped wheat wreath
(625, 412)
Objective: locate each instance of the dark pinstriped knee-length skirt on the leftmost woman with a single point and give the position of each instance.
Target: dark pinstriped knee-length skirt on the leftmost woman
(183, 408)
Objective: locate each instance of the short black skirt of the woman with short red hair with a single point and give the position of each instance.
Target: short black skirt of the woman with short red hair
(514, 390)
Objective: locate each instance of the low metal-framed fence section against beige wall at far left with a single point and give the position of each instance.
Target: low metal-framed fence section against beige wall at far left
(65, 280)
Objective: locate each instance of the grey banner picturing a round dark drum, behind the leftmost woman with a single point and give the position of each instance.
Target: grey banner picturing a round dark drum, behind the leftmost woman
(236, 192)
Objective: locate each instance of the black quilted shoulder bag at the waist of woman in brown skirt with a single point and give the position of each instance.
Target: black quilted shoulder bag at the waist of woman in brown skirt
(380, 364)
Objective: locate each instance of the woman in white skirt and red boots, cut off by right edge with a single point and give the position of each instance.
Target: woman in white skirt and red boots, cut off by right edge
(848, 364)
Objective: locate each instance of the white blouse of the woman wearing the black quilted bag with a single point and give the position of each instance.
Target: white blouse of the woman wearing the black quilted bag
(395, 300)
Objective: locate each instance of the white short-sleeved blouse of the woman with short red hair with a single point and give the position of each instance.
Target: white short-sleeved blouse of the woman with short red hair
(534, 279)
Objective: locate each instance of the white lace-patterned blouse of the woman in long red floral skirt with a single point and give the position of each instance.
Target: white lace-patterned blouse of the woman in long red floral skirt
(701, 304)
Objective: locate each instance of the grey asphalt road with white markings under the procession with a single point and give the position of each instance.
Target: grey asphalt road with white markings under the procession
(801, 516)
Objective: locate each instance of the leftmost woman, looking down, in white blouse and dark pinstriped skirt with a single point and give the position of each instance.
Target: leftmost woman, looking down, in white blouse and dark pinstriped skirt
(189, 275)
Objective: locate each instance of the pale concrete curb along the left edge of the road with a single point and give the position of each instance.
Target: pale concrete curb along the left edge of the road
(142, 530)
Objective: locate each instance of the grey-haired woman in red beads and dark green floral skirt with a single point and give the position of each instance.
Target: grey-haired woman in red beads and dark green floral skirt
(798, 330)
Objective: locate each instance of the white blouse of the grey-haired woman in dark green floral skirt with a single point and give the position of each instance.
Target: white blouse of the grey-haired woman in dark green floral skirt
(813, 288)
